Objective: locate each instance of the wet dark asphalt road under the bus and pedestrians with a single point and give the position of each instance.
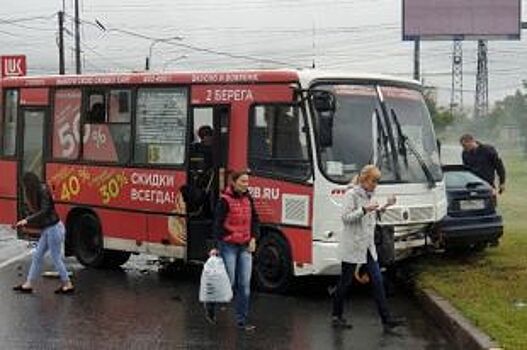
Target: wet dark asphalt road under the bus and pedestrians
(138, 308)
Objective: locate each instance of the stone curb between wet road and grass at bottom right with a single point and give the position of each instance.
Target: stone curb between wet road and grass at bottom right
(460, 330)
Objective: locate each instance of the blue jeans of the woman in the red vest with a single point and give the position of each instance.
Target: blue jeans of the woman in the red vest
(238, 263)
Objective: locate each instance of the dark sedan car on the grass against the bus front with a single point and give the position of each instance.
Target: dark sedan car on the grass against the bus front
(472, 222)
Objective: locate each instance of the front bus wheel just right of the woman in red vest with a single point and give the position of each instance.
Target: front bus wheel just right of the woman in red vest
(273, 267)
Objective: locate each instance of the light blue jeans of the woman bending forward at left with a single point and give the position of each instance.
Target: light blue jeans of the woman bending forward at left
(51, 239)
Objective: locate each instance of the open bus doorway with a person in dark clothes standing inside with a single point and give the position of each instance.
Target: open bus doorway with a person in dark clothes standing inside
(207, 159)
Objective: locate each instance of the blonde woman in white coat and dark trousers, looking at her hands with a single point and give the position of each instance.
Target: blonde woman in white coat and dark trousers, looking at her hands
(357, 246)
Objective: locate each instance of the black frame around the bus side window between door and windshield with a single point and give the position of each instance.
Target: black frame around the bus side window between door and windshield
(272, 175)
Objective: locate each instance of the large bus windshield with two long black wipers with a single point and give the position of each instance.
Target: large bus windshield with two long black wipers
(394, 132)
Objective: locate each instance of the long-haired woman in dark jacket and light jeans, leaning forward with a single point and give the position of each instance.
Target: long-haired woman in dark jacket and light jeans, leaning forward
(43, 217)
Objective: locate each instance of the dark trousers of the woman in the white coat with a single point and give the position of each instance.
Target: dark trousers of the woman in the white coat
(346, 279)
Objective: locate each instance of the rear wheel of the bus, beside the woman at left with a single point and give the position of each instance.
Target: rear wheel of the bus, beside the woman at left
(87, 235)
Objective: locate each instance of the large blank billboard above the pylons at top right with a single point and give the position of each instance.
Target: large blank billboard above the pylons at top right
(461, 19)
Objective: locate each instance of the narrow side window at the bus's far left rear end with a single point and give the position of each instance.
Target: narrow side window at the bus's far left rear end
(9, 123)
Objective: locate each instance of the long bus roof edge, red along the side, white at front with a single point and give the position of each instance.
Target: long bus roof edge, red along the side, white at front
(306, 77)
